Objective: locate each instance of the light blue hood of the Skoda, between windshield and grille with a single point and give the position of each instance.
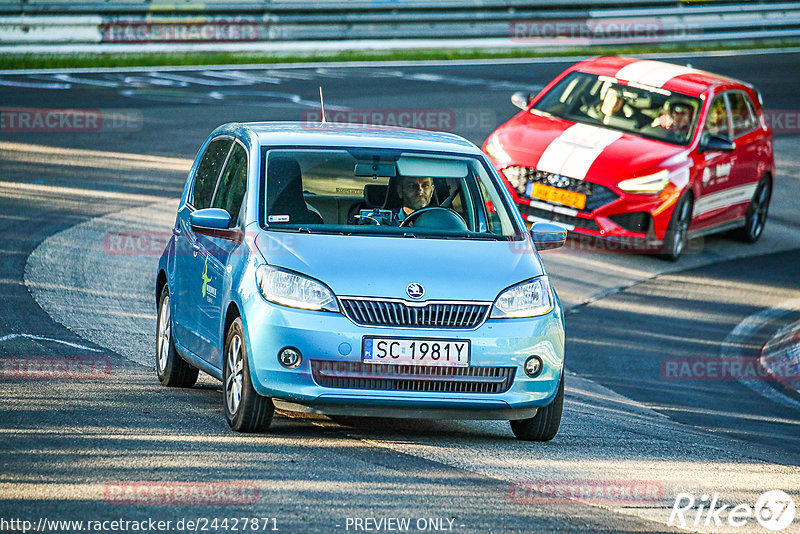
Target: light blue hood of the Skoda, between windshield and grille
(384, 266)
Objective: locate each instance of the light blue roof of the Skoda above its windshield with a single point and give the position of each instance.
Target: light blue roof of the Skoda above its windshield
(339, 134)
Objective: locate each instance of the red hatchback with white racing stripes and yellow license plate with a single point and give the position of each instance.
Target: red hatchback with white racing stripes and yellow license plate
(639, 151)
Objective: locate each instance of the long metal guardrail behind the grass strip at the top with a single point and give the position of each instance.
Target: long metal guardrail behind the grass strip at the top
(496, 23)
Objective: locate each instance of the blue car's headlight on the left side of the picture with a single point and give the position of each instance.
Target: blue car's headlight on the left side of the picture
(293, 290)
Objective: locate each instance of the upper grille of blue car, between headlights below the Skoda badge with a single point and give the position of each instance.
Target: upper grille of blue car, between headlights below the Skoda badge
(387, 312)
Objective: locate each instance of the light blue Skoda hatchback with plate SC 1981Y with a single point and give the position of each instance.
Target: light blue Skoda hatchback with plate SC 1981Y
(357, 270)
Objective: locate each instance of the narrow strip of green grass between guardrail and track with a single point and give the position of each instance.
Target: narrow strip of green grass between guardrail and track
(39, 61)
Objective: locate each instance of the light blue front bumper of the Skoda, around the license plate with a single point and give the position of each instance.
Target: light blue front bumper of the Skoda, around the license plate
(332, 337)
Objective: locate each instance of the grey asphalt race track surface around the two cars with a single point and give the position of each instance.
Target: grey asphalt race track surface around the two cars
(83, 449)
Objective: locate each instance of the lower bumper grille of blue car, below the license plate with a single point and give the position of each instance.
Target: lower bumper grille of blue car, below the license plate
(357, 375)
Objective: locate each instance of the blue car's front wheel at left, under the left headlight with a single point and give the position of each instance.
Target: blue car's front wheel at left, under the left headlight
(245, 410)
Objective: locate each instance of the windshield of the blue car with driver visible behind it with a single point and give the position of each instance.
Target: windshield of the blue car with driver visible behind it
(383, 192)
